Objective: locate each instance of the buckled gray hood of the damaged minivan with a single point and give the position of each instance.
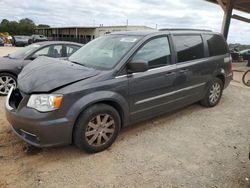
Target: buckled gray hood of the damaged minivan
(46, 74)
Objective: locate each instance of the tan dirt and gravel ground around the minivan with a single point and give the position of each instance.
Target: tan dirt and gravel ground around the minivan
(192, 147)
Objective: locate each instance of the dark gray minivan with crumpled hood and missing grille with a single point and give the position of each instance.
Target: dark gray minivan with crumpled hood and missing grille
(114, 81)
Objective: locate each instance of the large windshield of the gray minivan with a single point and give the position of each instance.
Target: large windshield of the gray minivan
(104, 52)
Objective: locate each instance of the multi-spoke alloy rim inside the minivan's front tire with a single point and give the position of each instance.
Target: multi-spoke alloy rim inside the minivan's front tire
(100, 130)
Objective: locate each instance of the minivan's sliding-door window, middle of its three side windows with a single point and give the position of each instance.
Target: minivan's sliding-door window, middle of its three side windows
(189, 47)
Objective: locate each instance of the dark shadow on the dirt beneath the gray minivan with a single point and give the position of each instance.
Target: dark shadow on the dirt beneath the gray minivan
(125, 134)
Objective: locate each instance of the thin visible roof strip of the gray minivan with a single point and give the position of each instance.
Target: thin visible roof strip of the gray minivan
(164, 31)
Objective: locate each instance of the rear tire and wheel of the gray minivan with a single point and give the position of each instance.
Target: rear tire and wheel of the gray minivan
(213, 93)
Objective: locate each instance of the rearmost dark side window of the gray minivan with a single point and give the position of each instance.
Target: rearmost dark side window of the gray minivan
(216, 45)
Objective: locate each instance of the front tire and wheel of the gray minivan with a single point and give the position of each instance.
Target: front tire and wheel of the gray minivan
(97, 128)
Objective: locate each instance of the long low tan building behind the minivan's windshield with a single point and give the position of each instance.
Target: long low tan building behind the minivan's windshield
(84, 34)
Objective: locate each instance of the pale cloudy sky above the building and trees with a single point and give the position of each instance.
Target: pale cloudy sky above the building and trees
(165, 13)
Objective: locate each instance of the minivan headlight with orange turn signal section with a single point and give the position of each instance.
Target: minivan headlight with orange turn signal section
(45, 102)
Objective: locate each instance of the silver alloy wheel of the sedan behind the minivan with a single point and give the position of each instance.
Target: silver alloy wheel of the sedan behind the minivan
(6, 82)
